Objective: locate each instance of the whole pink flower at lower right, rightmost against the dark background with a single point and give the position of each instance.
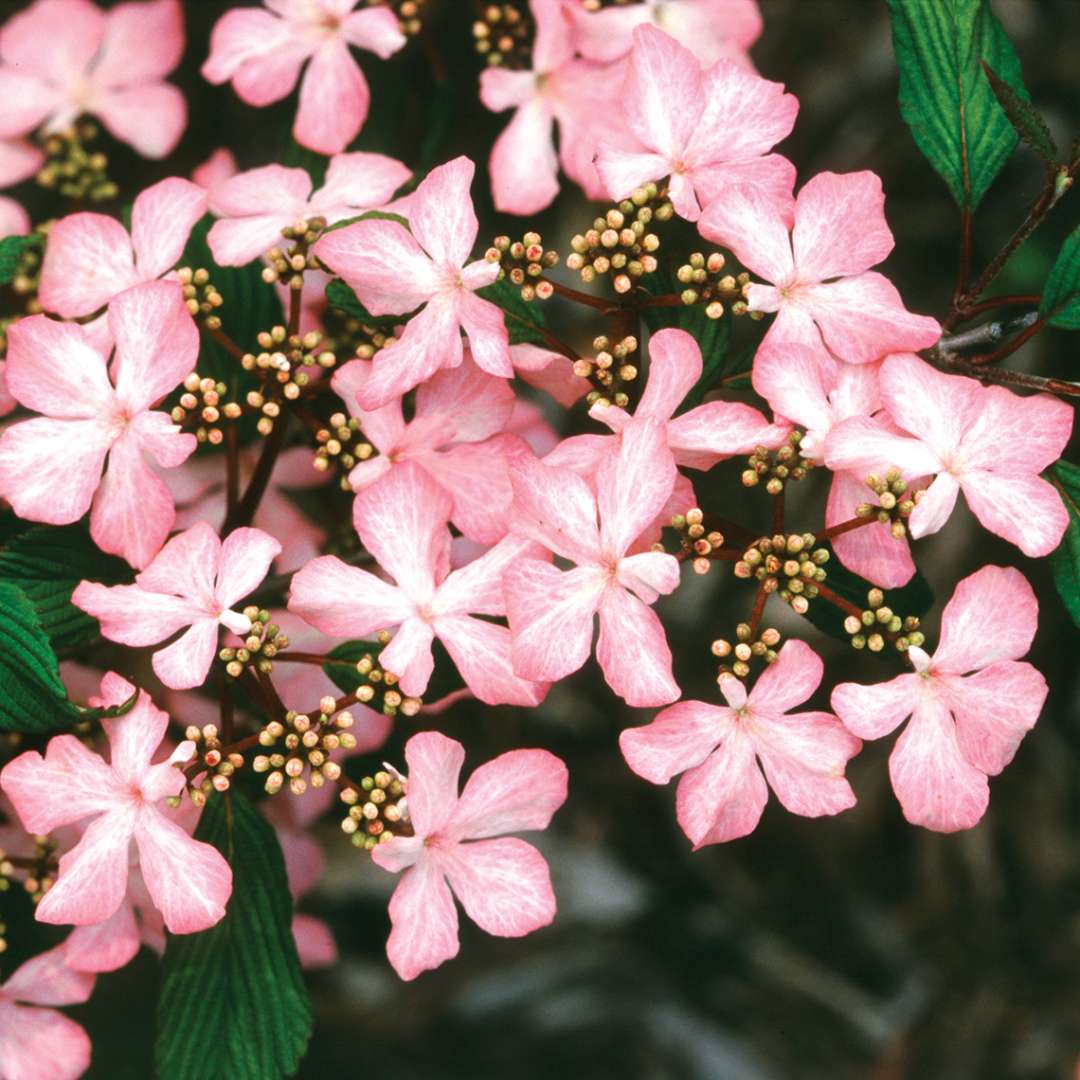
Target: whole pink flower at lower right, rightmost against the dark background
(971, 703)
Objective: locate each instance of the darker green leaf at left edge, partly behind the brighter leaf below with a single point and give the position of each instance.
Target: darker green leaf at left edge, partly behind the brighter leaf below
(48, 564)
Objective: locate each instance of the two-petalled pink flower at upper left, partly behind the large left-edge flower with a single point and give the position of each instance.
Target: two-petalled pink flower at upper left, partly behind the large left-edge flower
(90, 259)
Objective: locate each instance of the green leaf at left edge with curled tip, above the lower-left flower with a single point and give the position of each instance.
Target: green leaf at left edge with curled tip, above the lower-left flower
(33, 697)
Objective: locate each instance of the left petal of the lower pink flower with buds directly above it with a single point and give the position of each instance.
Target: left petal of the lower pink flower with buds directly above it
(681, 738)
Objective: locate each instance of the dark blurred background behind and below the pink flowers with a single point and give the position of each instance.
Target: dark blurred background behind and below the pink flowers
(849, 948)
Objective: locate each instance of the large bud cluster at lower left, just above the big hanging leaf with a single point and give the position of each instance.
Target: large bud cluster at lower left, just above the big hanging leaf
(300, 749)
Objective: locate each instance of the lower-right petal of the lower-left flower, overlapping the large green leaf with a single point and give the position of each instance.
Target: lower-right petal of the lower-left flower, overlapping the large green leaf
(190, 882)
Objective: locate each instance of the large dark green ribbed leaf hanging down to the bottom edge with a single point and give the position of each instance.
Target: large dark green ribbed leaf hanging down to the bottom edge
(234, 1005)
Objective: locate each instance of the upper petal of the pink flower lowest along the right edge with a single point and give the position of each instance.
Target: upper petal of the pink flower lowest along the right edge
(992, 616)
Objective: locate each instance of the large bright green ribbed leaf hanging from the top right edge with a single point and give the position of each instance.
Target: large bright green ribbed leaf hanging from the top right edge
(946, 98)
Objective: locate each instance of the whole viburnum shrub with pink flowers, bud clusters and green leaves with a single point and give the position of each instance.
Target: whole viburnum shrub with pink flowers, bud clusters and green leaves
(300, 456)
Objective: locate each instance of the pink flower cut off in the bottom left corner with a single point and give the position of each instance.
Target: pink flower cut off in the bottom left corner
(35, 1039)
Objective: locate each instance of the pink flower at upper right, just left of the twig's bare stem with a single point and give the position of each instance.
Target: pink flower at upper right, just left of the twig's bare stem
(823, 292)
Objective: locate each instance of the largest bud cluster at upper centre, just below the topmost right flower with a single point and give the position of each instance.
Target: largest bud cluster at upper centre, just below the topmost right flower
(622, 242)
